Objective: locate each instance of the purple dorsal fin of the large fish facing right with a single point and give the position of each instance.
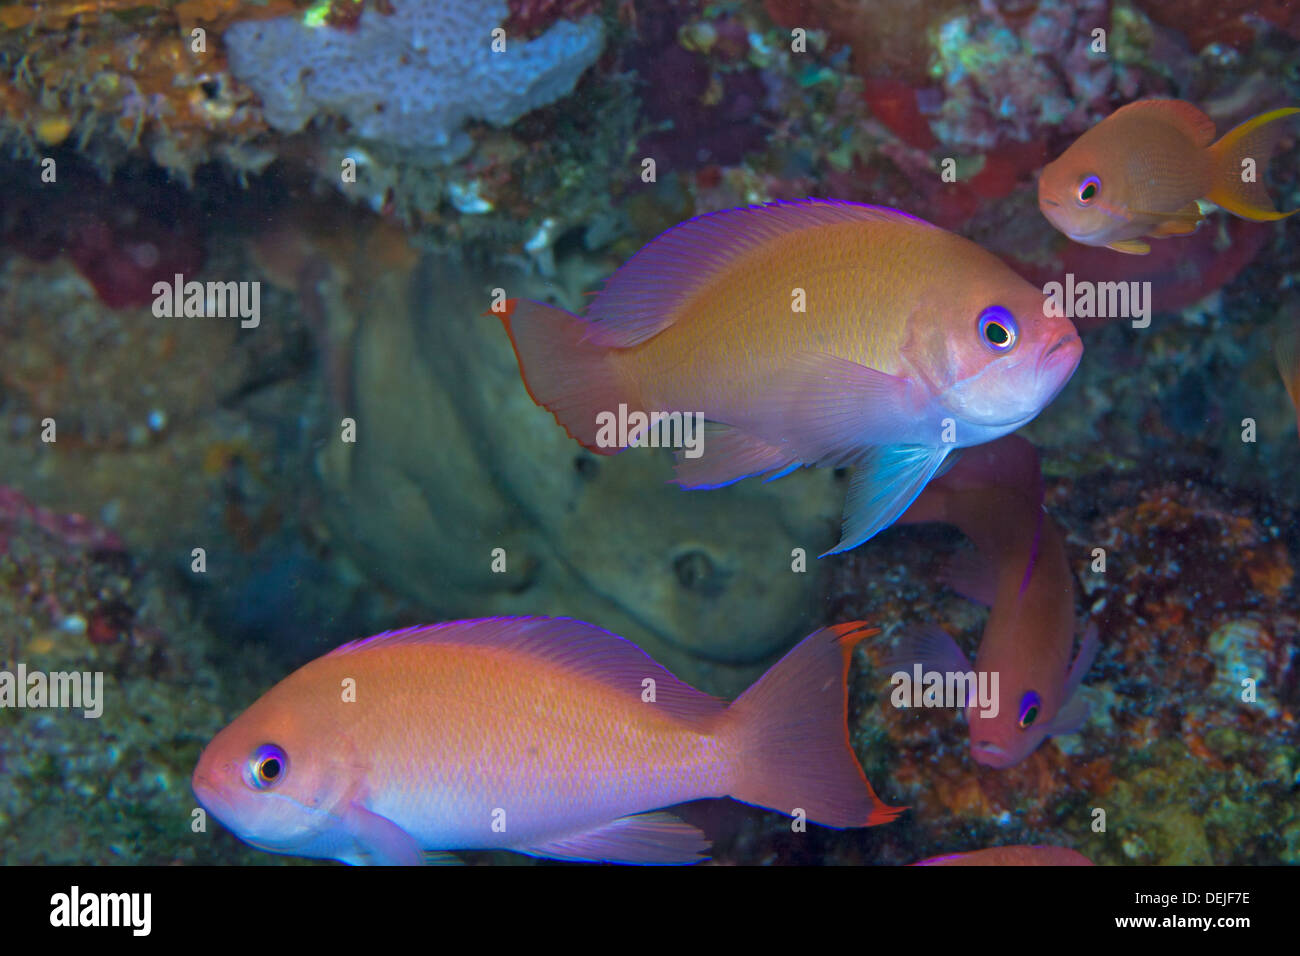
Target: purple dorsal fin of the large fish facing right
(648, 293)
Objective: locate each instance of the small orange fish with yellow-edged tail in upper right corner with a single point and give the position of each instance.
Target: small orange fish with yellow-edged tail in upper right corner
(1142, 171)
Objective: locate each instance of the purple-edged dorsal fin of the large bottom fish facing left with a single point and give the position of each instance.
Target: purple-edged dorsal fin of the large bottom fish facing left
(575, 647)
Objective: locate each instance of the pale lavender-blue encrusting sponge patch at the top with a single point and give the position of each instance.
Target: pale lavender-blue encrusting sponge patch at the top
(410, 76)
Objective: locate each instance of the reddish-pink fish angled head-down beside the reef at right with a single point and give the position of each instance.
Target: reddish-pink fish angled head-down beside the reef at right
(995, 496)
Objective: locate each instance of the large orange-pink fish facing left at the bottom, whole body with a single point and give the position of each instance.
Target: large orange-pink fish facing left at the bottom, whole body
(541, 736)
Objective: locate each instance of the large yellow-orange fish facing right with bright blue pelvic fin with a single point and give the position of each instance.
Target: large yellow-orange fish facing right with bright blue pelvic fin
(809, 334)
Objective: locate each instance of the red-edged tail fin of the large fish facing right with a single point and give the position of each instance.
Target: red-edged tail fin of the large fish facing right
(570, 378)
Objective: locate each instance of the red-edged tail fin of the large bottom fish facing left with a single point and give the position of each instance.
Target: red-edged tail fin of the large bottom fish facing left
(794, 739)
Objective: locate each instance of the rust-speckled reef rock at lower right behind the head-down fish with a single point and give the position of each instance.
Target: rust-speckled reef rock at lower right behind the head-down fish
(1194, 599)
